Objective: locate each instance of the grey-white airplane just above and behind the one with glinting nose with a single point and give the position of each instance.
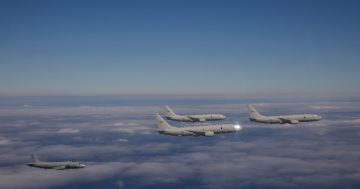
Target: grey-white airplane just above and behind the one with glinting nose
(191, 118)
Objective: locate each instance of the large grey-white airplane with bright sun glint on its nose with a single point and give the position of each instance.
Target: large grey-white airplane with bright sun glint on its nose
(209, 130)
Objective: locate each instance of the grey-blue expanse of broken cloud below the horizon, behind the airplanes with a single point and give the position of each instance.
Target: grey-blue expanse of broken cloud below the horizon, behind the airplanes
(119, 143)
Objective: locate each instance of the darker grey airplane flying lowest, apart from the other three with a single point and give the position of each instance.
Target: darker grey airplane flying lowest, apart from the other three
(35, 162)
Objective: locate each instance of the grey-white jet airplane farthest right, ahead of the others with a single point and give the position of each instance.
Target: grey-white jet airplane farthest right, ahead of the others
(292, 119)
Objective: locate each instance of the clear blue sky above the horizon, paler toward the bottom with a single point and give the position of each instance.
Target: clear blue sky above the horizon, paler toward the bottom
(178, 47)
